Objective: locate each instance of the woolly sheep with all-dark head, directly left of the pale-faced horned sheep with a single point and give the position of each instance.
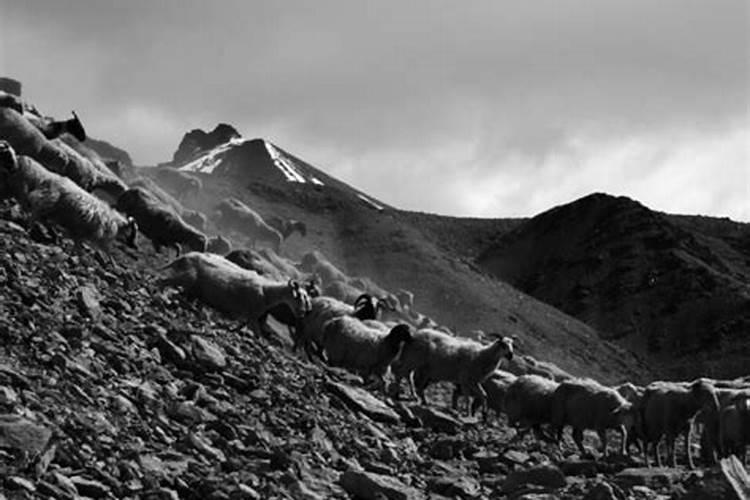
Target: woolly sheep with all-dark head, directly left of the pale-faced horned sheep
(353, 345)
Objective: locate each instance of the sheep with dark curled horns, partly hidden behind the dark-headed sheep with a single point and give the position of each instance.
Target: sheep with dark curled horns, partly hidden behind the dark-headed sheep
(309, 331)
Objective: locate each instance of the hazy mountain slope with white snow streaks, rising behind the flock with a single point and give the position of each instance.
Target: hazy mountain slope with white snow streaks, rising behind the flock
(429, 255)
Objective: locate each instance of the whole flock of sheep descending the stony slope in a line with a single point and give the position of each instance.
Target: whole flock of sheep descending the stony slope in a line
(346, 322)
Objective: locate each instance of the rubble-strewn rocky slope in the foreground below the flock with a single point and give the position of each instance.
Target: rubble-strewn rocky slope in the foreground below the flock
(111, 387)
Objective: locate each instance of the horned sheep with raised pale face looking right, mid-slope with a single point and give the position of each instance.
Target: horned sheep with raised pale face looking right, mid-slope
(434, 356)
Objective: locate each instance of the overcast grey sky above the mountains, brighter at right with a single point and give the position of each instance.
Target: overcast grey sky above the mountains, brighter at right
(487, 108)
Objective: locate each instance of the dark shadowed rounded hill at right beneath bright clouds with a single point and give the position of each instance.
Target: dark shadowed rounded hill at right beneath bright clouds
(671, 288)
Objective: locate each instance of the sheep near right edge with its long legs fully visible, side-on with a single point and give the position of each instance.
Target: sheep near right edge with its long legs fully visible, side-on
(667, 409)
